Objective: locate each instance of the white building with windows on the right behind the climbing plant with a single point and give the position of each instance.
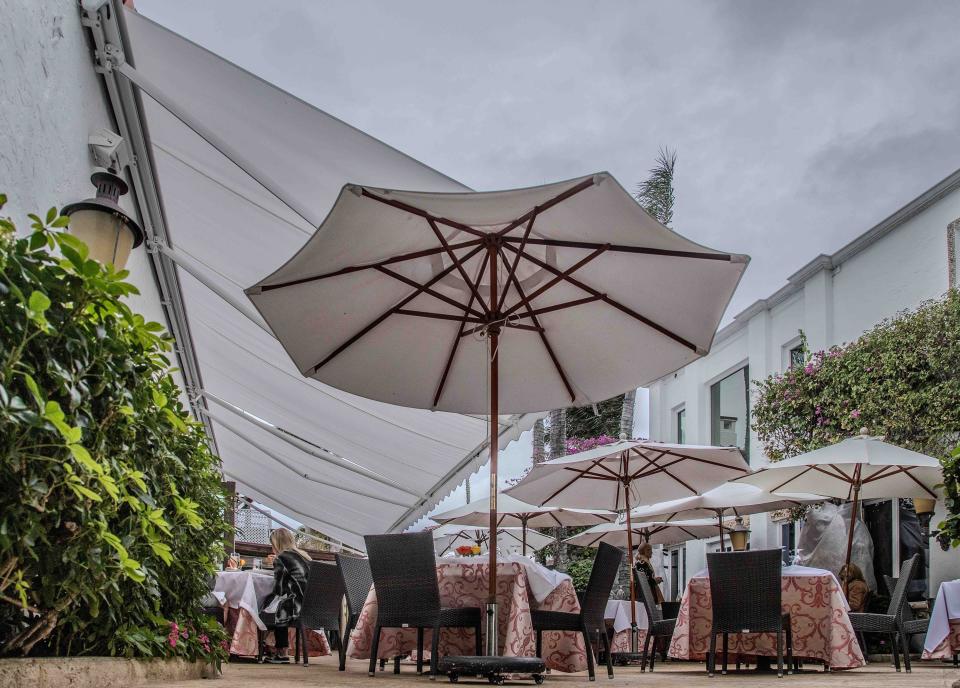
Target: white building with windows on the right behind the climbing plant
(907, 258)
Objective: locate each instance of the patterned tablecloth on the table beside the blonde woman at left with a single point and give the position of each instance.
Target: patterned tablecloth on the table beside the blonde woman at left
(244, 592)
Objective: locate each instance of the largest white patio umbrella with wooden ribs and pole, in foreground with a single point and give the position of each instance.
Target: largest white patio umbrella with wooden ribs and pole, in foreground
(570, 290)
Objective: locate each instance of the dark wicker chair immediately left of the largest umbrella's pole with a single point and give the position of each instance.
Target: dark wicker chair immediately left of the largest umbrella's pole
(404, 572)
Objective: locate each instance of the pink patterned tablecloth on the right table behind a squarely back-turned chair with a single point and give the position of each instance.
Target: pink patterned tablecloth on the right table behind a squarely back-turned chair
(818, 616)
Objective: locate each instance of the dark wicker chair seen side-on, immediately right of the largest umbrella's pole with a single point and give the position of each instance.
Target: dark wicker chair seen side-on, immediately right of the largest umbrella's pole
(593, 602)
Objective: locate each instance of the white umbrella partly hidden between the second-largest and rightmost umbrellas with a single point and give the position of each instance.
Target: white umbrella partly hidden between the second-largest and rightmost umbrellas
(737, 499)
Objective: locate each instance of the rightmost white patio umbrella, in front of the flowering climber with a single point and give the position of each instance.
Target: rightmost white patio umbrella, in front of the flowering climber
(861, 467)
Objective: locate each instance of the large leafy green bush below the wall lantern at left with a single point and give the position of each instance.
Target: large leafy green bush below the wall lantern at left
(111, 509)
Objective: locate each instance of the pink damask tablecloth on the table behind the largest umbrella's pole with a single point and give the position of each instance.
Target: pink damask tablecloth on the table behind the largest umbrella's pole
(464, 584)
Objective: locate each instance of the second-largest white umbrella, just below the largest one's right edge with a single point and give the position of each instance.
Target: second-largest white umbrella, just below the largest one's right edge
(628, 473)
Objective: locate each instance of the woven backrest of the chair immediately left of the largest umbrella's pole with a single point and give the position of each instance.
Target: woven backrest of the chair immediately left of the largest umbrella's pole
(404, 569)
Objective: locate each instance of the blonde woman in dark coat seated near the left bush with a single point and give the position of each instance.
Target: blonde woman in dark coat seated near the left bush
(290, 568)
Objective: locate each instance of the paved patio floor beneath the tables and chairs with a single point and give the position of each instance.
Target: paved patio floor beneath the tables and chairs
(323, 672)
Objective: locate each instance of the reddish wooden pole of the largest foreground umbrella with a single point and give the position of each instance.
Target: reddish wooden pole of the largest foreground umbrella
(493, 339)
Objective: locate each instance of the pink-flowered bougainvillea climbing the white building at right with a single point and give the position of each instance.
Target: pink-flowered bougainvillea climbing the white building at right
(901, 380)
